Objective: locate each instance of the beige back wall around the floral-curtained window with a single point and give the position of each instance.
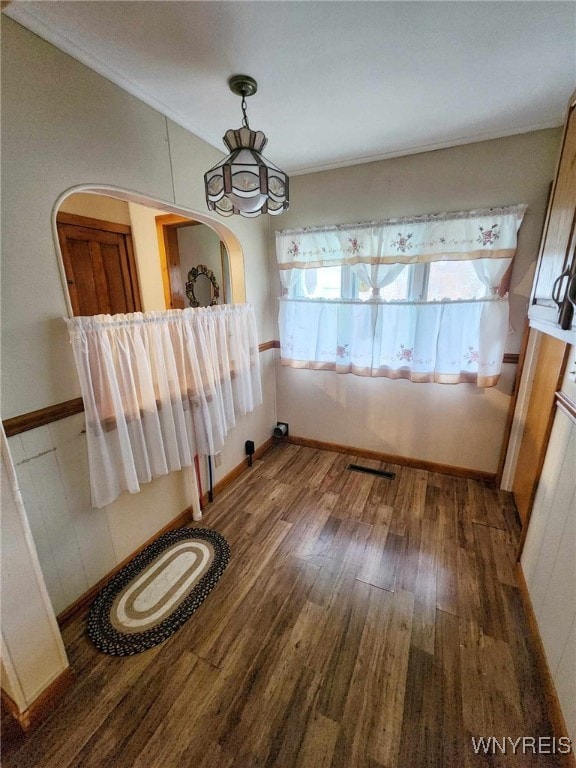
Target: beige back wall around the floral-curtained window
(459, 425)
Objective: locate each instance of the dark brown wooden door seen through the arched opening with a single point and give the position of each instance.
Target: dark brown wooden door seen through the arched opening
(99, 265)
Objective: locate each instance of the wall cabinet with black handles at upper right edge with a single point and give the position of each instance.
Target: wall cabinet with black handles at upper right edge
(553, 301)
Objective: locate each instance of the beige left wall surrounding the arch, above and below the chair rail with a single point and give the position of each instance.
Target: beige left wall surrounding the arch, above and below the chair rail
(57, 139)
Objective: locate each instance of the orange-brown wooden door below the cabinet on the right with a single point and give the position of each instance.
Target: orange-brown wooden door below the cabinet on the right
(552, 357)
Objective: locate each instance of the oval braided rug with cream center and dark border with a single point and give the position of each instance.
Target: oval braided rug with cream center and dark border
(158, 591)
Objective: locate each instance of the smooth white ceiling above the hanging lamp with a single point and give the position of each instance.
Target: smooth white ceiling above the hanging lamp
(339, 82)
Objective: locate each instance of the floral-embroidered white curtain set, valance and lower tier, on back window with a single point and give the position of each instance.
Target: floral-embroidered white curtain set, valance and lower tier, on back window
(447, 341)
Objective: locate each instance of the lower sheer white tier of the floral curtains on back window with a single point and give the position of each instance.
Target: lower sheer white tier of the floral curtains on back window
(443, 342)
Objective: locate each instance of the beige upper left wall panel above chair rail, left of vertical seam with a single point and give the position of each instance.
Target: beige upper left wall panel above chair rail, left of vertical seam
(53, 139)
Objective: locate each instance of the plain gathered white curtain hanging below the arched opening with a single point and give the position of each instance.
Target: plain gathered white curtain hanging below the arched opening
(160, 387)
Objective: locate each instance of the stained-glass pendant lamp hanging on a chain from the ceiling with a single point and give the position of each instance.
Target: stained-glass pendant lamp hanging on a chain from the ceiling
(245, 182)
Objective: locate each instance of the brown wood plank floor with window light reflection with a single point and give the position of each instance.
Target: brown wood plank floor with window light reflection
(361, 623)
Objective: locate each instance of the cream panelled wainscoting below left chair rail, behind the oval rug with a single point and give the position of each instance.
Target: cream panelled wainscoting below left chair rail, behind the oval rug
(78, 545)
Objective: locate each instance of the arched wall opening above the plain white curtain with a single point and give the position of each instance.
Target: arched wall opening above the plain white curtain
(147, 257)
